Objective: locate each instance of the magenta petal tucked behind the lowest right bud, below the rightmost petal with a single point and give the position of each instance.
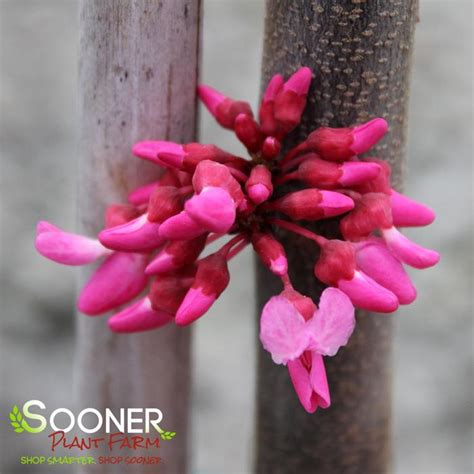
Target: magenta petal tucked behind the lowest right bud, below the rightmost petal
(375, 260)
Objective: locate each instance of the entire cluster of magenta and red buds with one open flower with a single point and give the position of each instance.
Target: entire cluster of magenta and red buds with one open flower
(154, 247)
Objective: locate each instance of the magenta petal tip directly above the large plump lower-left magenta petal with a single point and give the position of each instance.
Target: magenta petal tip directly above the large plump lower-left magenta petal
(136, 235)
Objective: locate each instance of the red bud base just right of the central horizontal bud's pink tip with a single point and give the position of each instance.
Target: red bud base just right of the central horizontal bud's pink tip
(372, 211)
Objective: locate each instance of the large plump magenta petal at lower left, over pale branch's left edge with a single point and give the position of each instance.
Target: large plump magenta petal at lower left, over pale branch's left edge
(119, 278)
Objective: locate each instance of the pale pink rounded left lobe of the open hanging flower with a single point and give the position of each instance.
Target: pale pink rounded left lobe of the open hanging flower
(283, 330)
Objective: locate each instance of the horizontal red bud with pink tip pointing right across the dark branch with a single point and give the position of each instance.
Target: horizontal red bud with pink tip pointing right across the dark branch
(313, 204)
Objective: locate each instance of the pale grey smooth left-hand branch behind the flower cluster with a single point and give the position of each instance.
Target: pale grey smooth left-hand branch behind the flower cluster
(138, 76)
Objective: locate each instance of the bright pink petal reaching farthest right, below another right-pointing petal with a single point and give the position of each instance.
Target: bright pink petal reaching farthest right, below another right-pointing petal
(407, 251)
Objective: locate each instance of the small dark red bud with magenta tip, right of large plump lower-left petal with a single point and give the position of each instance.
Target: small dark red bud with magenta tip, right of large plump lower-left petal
(176, 254)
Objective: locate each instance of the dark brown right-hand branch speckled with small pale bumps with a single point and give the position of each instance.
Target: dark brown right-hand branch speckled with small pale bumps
(360, 53)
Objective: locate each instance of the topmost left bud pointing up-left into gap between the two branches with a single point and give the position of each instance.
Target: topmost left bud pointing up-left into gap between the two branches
(224, 109)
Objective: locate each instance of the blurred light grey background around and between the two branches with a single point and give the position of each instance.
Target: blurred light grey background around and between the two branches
(433, 425)
